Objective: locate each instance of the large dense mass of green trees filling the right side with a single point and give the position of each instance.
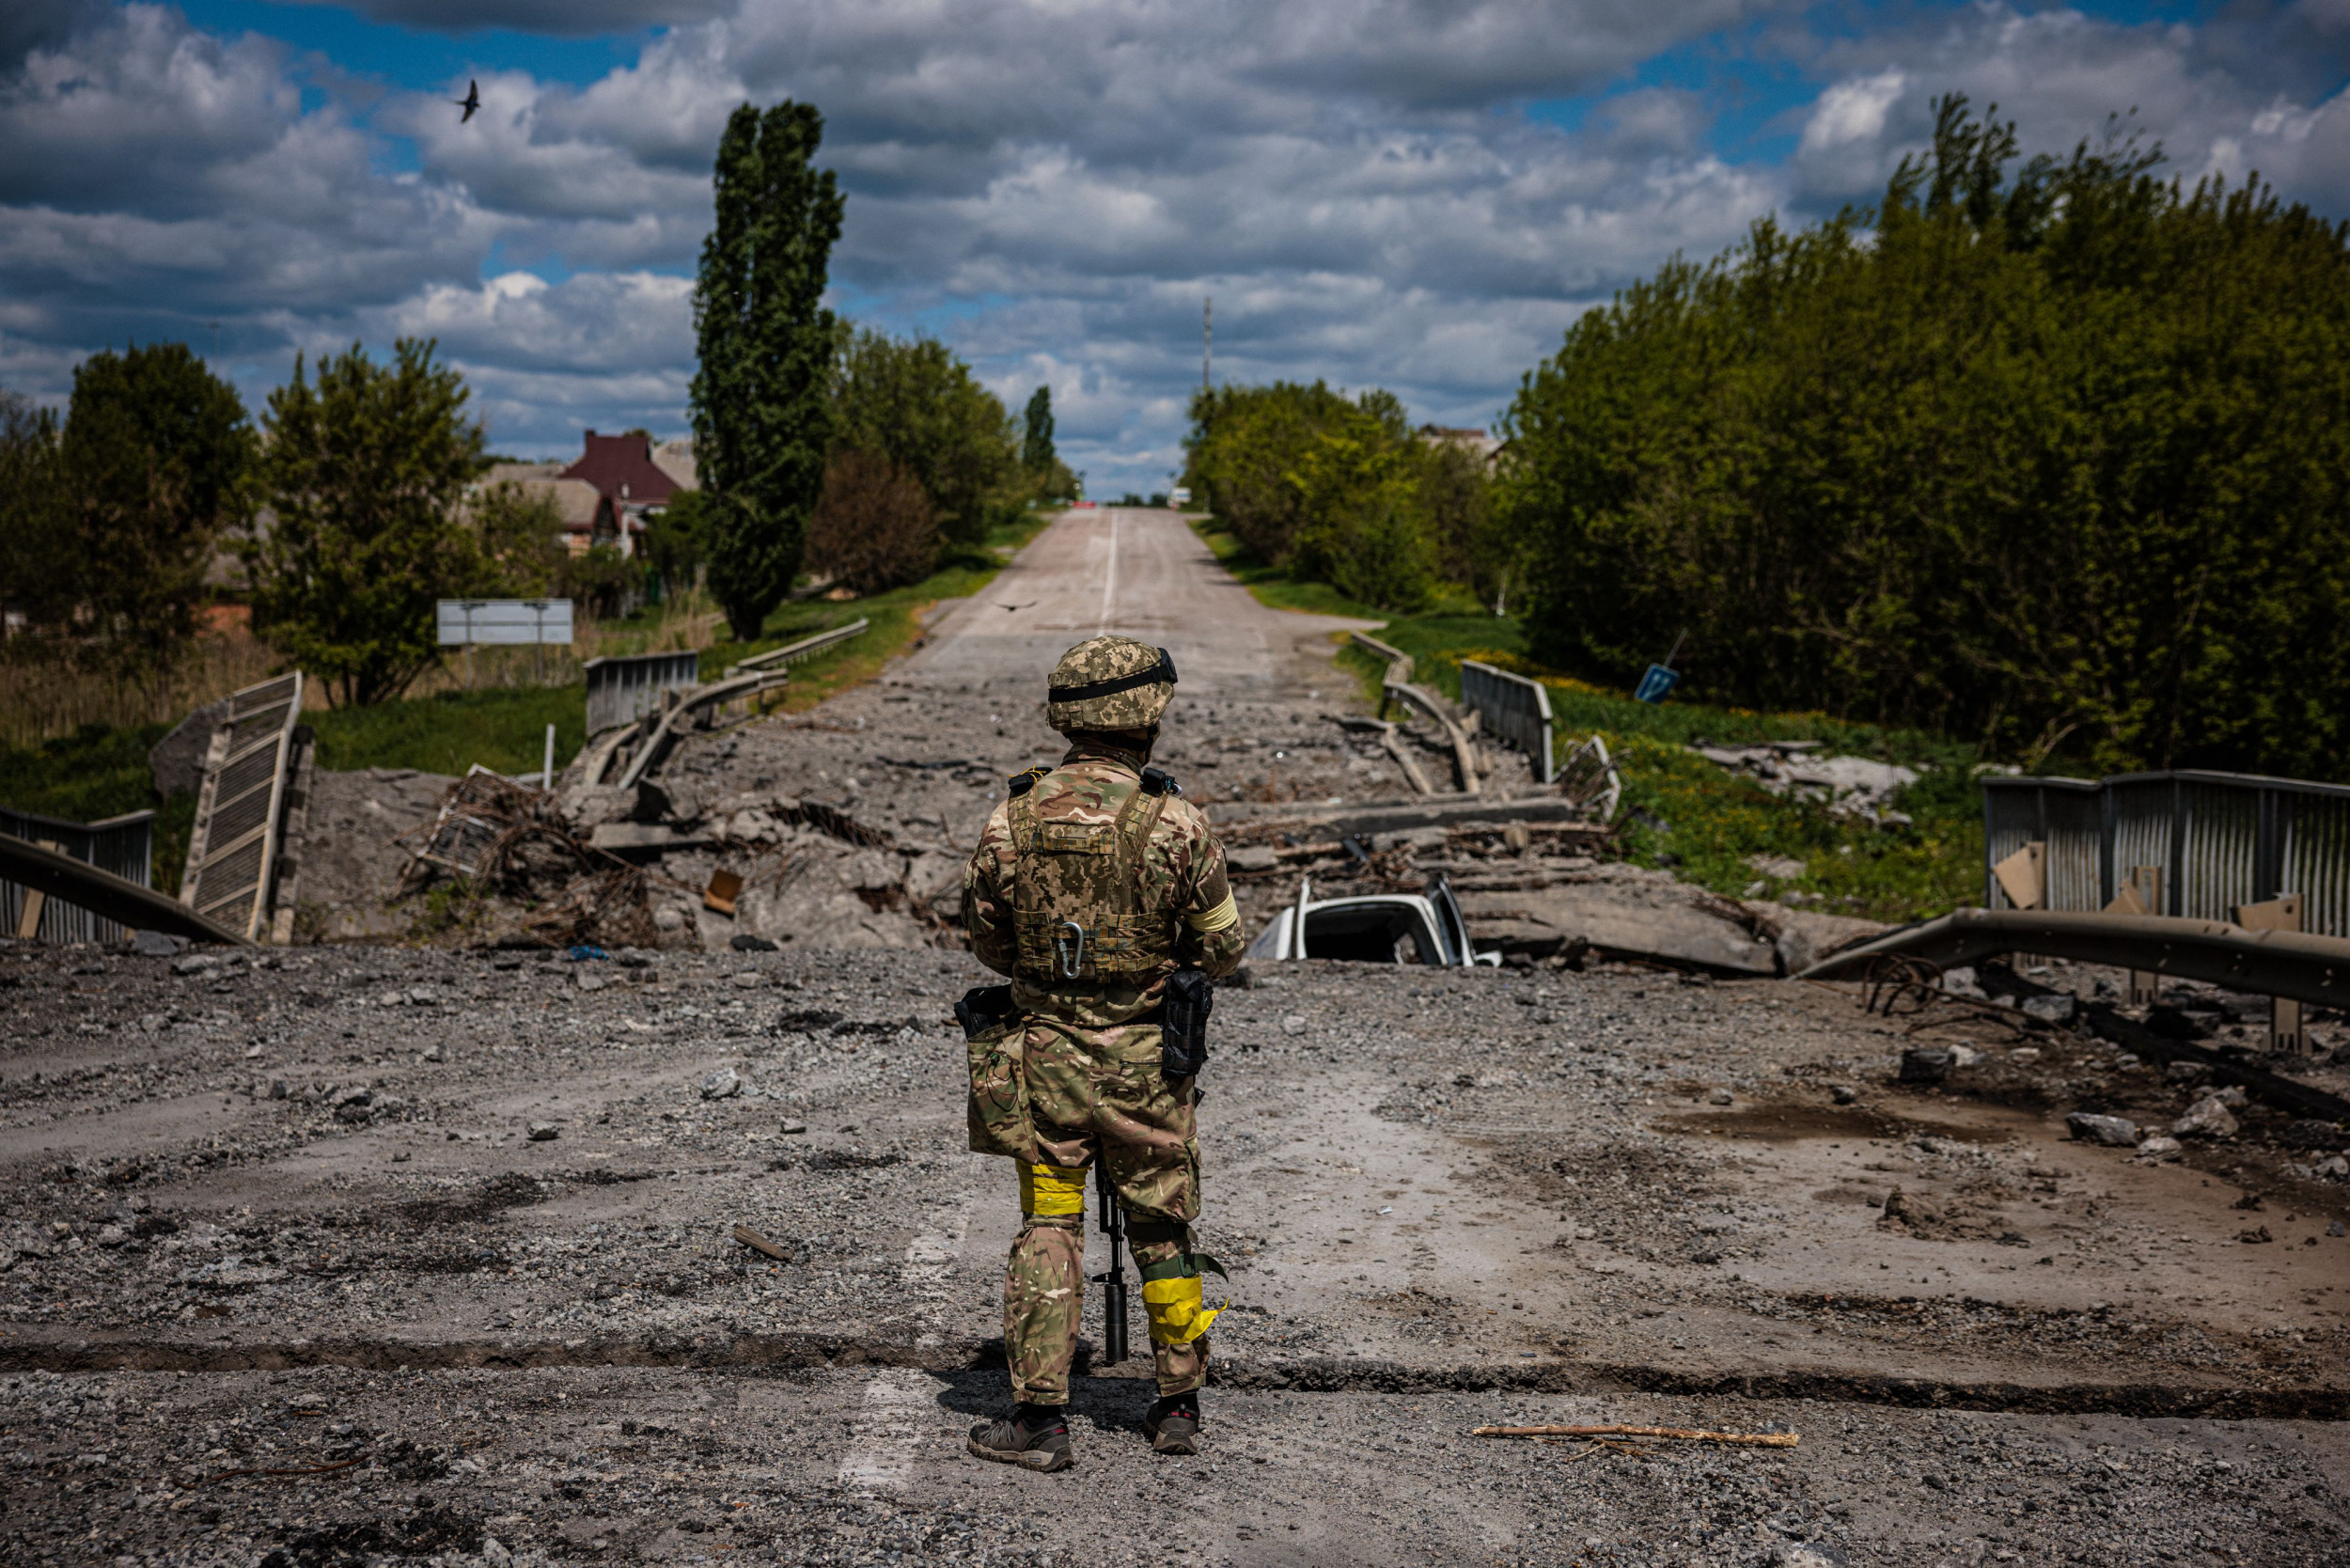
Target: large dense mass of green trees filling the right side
(2050, 455)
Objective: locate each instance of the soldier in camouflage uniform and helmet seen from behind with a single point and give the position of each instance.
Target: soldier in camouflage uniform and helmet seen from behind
(1094, 885)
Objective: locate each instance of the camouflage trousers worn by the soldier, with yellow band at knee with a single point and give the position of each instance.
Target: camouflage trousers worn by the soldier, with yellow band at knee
(1099, 1094)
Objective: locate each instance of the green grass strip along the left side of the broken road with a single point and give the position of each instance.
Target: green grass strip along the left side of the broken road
(105, 770)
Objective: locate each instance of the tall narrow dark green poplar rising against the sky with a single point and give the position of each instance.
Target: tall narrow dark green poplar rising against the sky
(763, 413)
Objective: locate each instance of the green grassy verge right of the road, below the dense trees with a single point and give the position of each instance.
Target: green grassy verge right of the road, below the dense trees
(1684, 812)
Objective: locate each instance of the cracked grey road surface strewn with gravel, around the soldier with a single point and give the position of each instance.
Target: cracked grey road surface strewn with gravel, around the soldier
(358, 1254)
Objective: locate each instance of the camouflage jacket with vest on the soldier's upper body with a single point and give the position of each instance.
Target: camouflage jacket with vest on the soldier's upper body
(1146, 913)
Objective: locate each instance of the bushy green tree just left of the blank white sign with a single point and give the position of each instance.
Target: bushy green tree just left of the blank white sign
(365, 474)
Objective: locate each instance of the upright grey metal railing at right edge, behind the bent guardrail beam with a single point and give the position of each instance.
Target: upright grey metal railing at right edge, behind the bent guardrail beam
(2215, 840)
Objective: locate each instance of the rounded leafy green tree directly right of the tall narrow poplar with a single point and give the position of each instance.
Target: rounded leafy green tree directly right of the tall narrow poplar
(915, 403)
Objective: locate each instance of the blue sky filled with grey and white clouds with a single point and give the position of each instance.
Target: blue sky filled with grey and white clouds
(1411, 194)
